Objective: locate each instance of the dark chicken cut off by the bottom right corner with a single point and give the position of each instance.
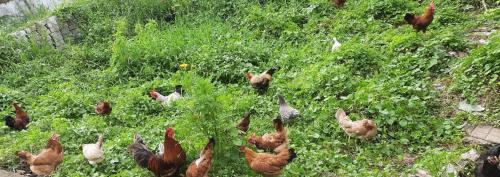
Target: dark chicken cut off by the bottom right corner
(488, 164)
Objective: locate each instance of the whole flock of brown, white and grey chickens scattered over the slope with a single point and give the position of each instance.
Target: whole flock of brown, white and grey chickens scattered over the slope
(171, 157)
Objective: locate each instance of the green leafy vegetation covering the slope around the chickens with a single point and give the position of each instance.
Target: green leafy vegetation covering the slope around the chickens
(384, 70)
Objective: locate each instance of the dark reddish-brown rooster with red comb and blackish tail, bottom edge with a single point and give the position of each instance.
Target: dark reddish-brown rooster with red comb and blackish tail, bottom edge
(166, 164)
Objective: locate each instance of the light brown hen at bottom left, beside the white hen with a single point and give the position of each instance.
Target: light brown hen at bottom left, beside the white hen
(47, 161)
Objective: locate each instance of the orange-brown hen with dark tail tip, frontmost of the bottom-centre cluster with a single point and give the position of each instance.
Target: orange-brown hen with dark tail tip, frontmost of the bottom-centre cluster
(268, 164)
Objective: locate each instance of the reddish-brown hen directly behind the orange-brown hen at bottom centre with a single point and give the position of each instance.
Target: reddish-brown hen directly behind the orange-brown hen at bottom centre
(271, 141)
